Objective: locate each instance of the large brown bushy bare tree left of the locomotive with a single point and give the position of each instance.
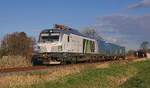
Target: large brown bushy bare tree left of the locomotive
(17, 44)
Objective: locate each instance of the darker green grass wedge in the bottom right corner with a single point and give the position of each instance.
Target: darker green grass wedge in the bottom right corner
(141, 80)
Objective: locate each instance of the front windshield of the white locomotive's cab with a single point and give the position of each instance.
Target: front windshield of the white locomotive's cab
(49, 37)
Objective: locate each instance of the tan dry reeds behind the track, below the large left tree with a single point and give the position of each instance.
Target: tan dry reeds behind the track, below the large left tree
(13, 61)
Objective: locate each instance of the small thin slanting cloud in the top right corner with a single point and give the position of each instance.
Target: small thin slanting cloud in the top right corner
(139, 5)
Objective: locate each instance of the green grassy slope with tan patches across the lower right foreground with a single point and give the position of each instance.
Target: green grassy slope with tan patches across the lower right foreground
(134, 75)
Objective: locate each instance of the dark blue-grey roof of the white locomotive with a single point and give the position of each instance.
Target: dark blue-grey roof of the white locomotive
(72, 31)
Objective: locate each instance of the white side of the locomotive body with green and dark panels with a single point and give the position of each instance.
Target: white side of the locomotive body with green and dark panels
(78, 44)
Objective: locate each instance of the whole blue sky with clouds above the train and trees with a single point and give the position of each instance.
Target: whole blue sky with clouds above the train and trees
(124, 22)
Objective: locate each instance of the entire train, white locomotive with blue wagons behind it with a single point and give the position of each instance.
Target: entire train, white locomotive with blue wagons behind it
(65, 45)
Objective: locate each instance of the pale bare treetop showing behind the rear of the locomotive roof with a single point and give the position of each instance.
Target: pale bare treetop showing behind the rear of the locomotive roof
(92, 32)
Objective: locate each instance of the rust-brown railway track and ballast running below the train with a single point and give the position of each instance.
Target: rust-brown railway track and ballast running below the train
(40, 69)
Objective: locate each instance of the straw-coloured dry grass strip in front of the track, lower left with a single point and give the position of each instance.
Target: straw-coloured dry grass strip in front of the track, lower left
(29, 79)
